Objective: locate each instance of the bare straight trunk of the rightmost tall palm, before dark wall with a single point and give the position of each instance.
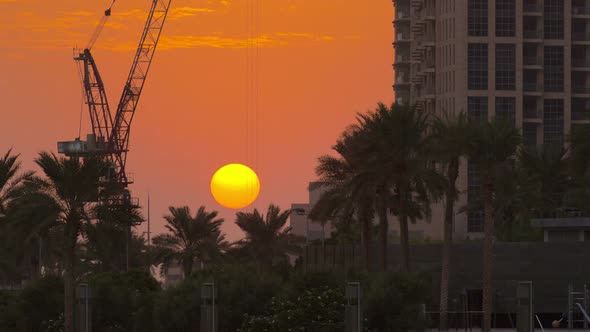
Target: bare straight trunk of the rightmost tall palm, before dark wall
(488, 252)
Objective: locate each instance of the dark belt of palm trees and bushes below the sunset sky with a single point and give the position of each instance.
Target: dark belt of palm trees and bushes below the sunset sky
(393, 161)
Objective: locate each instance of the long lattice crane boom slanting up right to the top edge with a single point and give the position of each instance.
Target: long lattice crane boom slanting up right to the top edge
(134, 85)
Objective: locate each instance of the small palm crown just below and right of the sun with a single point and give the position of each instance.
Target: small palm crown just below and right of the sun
(267, 239)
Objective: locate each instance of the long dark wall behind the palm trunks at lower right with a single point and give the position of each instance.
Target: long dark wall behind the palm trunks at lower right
(550, 266)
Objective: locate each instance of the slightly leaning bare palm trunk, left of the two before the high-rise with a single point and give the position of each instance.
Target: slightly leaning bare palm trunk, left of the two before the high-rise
(452, 174)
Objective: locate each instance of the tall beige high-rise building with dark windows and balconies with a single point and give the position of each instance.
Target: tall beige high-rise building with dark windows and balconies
(525, 60)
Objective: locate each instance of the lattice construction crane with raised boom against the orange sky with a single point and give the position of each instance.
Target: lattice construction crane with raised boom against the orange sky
(110, 133)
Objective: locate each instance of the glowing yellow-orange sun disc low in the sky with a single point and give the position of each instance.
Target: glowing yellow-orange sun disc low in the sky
(235, 186)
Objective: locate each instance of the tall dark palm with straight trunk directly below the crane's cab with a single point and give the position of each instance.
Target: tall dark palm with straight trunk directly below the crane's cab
(64, 197)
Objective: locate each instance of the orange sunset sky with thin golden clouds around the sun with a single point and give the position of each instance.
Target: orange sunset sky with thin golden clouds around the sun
(267, 83)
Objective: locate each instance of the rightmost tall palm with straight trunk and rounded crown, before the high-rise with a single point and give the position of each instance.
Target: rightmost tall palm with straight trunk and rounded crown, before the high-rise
(491, 144)
